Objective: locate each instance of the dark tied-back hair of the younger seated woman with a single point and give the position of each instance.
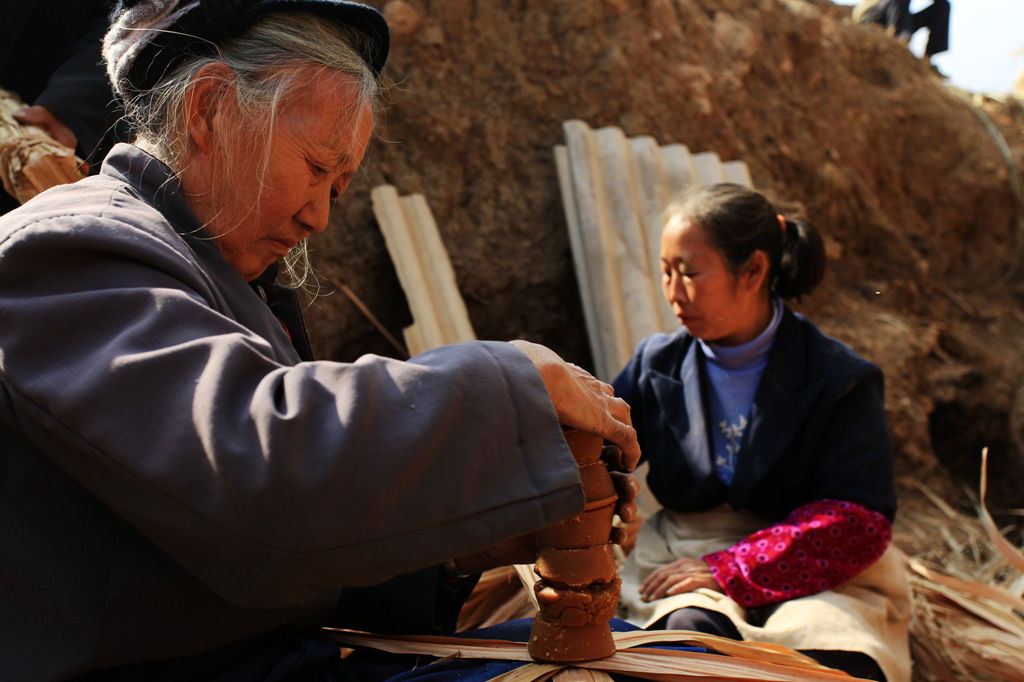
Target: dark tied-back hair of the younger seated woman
(739, 222)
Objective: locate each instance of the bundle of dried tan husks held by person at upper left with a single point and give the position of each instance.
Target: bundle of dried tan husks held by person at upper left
(31, 161)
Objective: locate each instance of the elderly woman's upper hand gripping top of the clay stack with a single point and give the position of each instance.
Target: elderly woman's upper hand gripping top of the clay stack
(584, 403)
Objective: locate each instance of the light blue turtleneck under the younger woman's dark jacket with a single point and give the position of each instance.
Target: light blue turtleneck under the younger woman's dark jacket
(734, 374)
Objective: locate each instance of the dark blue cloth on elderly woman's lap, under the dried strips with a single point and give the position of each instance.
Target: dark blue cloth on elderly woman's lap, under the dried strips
(366, 666)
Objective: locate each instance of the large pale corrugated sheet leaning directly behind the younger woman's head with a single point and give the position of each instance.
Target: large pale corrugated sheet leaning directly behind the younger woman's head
(615, 191)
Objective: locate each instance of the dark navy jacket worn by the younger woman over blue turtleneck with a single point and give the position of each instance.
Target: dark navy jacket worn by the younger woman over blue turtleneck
(818, 427)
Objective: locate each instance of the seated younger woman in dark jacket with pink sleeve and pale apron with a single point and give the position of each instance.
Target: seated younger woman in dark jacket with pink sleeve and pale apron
(769, 451)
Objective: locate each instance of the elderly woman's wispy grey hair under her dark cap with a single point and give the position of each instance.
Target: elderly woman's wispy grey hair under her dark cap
(271, 61)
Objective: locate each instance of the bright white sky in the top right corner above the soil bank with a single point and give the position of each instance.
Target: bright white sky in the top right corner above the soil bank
(984, 37)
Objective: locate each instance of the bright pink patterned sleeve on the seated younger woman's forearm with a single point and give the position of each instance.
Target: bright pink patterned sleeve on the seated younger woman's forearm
(816, 548)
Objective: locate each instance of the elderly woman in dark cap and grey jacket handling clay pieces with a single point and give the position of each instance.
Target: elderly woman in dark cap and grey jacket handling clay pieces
(182, 495)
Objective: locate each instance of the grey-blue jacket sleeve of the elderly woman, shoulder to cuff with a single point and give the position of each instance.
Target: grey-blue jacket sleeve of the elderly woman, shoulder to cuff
(267, 482)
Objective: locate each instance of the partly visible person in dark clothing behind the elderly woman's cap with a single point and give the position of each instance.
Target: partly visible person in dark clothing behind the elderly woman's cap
(51, 58)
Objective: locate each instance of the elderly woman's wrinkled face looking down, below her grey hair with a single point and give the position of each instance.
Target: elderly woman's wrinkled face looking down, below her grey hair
(319, 141)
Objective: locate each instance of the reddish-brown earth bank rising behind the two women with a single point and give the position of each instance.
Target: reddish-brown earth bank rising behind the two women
(903, 173)
